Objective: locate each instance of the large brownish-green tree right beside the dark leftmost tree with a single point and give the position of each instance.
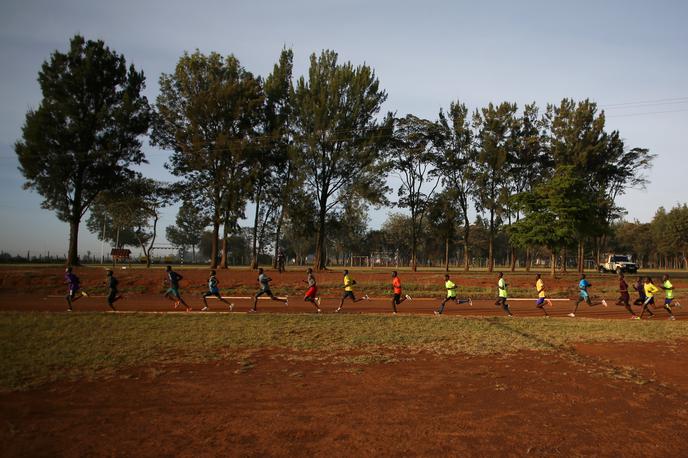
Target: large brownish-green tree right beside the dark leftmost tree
(208, 112)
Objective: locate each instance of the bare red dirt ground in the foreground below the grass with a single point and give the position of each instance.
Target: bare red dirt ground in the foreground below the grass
(530, 404)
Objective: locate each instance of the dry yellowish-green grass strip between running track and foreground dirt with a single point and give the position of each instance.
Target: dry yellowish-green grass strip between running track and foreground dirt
(45, 347)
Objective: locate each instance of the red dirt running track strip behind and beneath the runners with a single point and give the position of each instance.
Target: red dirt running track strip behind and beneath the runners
(42, 288)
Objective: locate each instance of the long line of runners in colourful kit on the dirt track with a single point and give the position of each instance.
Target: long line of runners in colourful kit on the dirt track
(644, 286)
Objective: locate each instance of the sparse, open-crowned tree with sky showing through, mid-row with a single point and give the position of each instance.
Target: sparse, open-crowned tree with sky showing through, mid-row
(412, 157)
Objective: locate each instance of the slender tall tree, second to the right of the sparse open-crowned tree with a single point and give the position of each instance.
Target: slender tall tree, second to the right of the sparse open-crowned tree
(496, 126)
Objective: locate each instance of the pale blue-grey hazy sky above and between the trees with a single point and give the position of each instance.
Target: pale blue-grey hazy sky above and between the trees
(631, 57)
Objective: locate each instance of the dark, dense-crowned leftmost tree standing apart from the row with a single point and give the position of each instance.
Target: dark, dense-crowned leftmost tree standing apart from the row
(86, 131)
